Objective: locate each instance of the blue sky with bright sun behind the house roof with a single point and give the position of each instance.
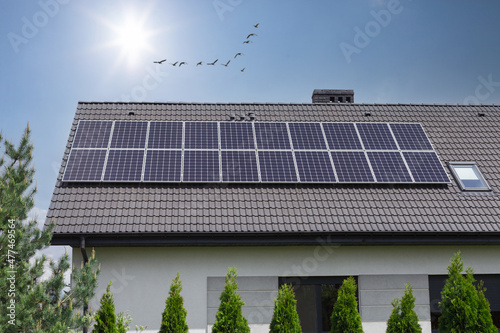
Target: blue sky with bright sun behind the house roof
(55, 53)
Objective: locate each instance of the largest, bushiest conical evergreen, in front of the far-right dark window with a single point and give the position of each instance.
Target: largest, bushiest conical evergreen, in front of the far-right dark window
(464, 308)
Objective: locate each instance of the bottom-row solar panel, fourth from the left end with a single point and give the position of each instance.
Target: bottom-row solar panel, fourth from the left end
(201, 166)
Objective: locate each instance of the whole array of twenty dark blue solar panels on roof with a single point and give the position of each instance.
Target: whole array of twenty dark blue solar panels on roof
(244, 152)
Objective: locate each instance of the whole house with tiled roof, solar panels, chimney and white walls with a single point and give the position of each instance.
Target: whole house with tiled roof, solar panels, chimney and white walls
(410, 186)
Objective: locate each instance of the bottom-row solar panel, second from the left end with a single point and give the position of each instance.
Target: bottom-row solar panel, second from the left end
(124, 165)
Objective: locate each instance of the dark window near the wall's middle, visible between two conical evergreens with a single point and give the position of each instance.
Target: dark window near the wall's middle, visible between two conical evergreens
(315, 297)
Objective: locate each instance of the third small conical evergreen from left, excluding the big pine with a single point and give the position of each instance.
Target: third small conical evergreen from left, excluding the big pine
(229, 318)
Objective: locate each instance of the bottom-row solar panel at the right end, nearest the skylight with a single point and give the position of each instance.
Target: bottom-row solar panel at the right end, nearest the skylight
(426, 167)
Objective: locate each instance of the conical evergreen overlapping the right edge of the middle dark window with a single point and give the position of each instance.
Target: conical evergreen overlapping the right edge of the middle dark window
(345, 317)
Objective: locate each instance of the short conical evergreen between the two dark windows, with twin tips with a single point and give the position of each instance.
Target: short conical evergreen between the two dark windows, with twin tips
(404, 319)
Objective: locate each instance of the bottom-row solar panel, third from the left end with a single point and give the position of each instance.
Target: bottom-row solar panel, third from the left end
(163, 166)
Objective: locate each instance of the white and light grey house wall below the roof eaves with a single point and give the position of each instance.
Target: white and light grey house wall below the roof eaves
(142, 277)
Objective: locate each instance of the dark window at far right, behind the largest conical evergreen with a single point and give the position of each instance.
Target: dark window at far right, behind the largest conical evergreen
(491, 283)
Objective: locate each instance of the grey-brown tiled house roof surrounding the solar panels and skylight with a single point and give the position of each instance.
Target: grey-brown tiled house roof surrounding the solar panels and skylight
(181, 213)
